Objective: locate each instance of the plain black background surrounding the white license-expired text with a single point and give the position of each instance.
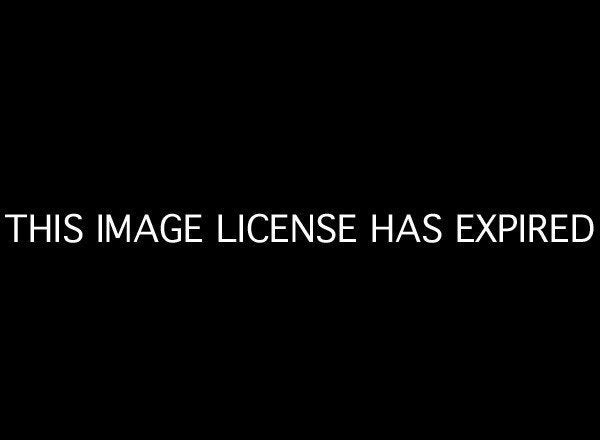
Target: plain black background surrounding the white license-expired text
(368, 113)
